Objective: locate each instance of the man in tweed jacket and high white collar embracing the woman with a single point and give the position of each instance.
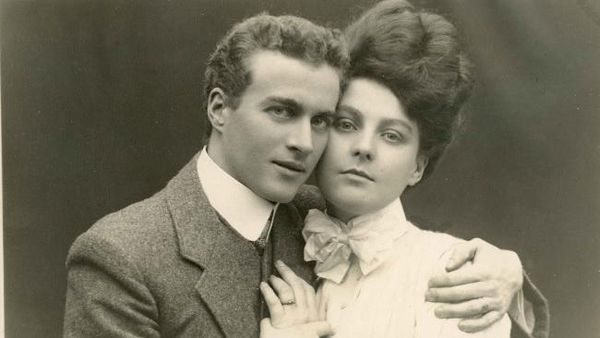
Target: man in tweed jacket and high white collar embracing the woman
(188, 261)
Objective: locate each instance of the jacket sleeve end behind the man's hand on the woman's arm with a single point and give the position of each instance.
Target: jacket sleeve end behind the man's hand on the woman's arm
(529, 312)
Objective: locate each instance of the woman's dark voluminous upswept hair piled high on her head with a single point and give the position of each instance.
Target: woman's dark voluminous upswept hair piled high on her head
(417, 55)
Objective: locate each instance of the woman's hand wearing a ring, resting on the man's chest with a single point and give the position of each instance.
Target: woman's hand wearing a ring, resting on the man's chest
(291, 300)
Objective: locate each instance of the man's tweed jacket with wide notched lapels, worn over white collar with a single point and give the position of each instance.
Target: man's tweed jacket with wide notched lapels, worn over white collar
(168, 267)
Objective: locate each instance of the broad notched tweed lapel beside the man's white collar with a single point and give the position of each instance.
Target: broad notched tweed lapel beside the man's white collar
(230, 275)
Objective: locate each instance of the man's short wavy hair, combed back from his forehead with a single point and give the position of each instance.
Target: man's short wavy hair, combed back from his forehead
(292, 36)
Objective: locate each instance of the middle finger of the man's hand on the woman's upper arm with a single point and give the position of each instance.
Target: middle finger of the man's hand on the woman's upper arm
(460, 293)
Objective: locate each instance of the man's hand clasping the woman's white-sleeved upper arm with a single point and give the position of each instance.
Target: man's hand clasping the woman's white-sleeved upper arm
(477, 285)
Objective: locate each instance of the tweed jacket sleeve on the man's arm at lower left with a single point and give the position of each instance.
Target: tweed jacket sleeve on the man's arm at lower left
(106, 295)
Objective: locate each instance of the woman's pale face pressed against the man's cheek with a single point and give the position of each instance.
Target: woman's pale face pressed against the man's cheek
(373, 152)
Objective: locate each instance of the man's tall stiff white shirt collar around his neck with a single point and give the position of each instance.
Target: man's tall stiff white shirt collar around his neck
(245, 211)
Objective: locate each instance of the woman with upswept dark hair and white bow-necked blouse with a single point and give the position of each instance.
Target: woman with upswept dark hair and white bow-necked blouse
(407, 82)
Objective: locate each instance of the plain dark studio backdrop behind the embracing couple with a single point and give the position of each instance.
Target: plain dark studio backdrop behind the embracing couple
(102, 105)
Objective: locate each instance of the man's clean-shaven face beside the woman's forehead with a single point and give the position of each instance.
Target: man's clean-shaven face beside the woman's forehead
(272, 141)
